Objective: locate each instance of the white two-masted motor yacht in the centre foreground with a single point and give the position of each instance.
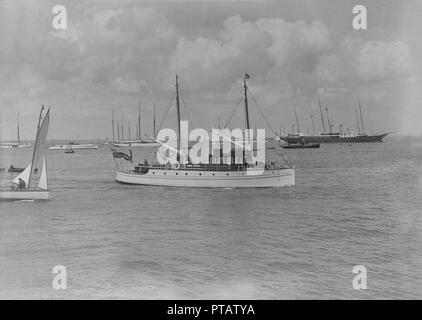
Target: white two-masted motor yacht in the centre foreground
(187, 174)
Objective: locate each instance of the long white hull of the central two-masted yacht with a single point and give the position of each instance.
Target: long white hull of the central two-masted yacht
(210, 179)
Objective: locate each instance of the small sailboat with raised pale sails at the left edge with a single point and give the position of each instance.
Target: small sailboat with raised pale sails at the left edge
(31, 184)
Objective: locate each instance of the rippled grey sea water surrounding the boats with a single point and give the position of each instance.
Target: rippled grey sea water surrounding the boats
(353, 204)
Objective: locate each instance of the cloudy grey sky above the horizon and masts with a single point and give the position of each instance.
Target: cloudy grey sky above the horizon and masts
(115, 52)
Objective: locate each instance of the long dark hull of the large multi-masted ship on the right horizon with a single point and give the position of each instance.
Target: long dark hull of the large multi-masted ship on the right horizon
(334, 138)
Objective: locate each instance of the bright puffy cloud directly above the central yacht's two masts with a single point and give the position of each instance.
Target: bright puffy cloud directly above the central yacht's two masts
(266, 48)
